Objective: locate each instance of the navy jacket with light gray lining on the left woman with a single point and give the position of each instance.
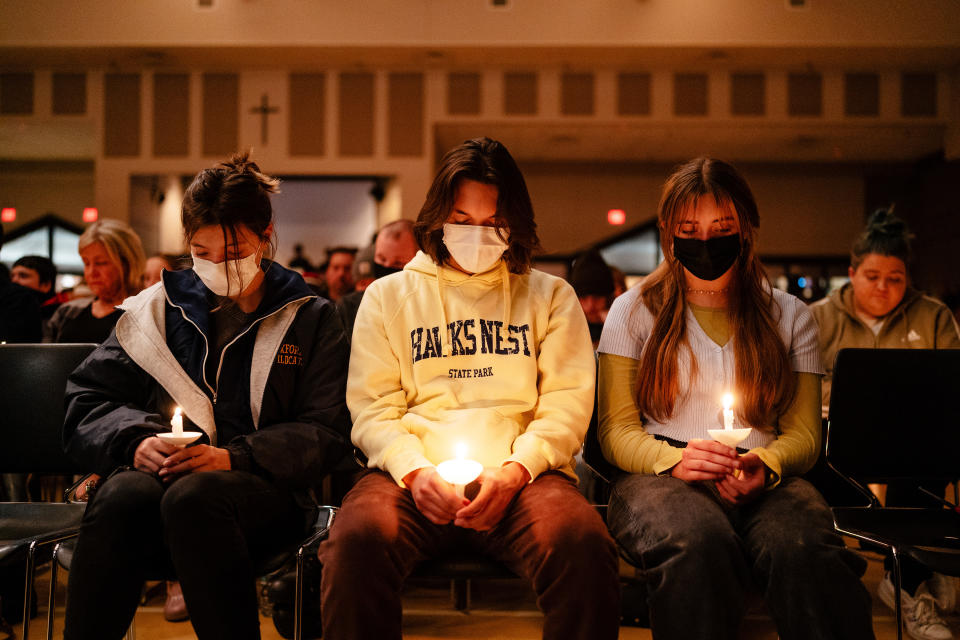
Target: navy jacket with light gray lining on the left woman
(277, 403)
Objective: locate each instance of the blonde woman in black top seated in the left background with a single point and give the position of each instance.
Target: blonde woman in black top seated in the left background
(113, 262)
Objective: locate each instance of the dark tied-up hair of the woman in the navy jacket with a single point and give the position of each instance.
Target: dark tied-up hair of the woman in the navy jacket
(231, 194)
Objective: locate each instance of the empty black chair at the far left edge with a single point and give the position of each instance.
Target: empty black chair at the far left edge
(33, 378)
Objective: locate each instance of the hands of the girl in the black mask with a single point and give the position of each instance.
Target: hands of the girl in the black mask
(711, 461)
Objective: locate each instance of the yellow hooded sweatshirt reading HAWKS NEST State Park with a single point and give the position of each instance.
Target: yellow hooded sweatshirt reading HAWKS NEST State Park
(499, 362)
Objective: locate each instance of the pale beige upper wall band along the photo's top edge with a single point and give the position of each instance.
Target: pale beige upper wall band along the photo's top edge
(473, 22)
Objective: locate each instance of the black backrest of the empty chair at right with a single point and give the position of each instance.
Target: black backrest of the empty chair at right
(895, 414)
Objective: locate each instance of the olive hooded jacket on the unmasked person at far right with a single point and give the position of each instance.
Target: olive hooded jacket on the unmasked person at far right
(918, 322)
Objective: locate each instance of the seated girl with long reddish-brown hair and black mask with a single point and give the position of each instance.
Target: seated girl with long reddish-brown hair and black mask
(702, 518)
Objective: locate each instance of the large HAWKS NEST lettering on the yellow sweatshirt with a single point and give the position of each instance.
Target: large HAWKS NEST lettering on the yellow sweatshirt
(470, 337)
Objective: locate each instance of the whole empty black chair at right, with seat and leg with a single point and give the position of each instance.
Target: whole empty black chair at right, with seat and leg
(894, 416)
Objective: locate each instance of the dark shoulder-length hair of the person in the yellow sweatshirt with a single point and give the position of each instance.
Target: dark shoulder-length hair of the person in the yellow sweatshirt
(488, 162)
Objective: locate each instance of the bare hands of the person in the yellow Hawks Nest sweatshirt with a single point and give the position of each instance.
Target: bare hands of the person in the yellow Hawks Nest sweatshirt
(438, 501)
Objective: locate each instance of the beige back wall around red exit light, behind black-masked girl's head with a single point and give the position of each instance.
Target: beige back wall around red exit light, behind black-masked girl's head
(812, 210)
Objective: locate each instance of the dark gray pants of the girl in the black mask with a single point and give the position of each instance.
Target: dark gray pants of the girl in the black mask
(701, 560)
